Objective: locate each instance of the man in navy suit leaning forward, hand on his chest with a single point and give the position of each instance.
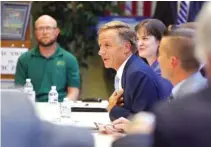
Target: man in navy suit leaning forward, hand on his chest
(117, 44)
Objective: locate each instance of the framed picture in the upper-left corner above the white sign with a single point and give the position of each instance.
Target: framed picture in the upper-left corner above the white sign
(14, 20)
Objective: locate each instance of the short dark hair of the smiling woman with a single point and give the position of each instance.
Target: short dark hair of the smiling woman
(153, 27)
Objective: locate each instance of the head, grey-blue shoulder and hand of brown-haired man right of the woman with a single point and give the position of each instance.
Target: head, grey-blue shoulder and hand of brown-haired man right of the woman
(178, 64)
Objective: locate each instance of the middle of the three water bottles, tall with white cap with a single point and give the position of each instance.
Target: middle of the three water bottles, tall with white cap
(53, 104)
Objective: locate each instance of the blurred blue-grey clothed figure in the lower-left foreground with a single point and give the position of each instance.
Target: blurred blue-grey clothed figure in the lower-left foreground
(22, 128)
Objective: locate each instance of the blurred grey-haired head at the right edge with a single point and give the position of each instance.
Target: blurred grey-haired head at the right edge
(203, 37)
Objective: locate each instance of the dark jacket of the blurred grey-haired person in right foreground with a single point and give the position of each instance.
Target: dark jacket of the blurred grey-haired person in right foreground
(185, 122)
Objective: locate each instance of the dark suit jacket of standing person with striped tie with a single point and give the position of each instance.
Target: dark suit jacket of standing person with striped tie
(166, 11)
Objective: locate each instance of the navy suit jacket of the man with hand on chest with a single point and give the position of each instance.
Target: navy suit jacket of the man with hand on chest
(141, 89)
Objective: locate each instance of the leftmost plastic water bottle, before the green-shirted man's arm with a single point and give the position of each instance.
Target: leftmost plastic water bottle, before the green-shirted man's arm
(28, 89)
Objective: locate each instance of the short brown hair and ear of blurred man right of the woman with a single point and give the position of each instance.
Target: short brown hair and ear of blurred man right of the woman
(182, 40)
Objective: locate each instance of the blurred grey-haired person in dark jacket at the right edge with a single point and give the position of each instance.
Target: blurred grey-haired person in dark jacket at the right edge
(186, 122)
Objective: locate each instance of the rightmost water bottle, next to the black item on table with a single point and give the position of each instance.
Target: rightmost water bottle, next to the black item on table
(65, 108)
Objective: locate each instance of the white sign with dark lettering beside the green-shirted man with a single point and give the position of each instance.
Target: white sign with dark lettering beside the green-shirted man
(9, 58)
